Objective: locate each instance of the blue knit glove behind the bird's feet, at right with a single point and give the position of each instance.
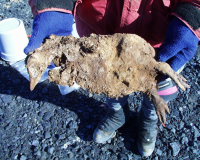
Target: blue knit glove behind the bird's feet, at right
(179, 46)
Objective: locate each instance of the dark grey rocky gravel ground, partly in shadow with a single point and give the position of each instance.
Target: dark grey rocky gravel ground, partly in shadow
(43, 124)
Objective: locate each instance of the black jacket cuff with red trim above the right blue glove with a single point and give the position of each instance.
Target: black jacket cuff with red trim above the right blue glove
(189, 12)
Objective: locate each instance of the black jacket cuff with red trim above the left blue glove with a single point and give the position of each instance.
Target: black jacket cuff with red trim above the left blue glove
(39, 6)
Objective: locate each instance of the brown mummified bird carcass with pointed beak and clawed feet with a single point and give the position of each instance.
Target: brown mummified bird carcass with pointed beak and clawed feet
(115, 65)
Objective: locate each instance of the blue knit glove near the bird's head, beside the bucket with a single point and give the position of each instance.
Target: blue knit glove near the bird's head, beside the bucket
(48, 23)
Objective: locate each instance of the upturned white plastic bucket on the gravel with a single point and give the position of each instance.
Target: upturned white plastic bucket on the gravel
(13, 39)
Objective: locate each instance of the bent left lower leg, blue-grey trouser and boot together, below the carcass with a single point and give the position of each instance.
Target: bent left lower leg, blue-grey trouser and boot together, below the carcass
(118, 113)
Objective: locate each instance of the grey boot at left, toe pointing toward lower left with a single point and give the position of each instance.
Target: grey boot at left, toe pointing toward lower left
(112, 121)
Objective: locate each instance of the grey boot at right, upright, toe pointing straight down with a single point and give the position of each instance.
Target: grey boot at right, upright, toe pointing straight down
(147, 132)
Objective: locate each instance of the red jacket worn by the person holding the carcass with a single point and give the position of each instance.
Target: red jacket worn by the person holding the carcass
(146, 18)
